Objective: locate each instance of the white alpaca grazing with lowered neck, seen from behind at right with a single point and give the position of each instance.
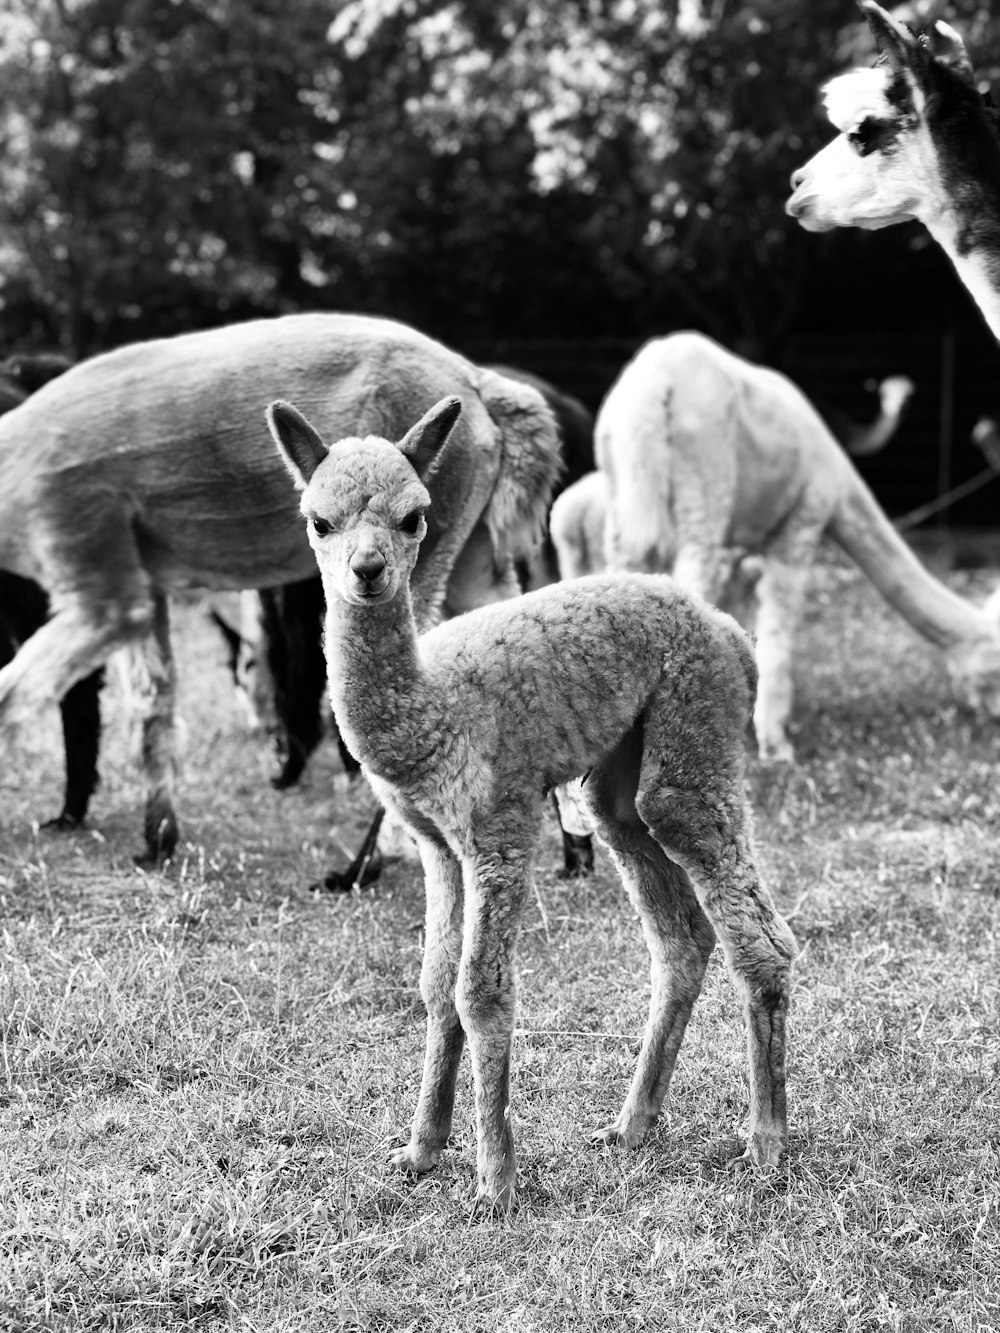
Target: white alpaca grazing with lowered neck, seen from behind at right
(702, 453)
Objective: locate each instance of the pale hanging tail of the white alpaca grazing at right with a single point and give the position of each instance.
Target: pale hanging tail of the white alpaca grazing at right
(634, 450)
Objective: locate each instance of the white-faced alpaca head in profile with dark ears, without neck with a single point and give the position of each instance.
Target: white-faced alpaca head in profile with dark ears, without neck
(891, 161)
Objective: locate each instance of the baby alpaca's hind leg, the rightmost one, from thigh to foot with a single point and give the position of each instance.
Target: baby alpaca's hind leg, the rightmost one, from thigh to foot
(703, 824)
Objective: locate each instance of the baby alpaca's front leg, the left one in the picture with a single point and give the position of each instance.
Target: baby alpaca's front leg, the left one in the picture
(433, 1120)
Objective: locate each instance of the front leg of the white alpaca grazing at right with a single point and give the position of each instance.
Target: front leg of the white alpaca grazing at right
(781, 598)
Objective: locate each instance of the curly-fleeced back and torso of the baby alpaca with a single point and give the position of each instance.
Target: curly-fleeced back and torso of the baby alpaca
(542, 666)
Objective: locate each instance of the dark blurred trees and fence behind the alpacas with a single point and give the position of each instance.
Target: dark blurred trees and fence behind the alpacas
(546, 185)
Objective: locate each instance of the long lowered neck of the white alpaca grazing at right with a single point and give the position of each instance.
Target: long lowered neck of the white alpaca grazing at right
(935, 613)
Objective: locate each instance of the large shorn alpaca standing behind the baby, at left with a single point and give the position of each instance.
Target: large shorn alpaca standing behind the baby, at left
(119, 486)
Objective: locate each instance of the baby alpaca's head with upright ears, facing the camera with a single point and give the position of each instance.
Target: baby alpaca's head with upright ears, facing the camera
(365, 502)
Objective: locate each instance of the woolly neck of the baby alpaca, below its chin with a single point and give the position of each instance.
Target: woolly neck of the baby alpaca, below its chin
(379, 691)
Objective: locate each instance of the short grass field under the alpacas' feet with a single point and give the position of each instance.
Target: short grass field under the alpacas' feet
(203, 1071)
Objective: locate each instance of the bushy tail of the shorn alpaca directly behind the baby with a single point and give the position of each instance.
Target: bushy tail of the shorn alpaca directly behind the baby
(531, 465)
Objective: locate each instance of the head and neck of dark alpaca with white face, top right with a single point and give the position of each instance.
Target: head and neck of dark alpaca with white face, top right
(917, 142)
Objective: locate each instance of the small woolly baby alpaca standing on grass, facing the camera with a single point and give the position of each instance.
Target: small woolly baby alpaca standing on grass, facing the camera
(465, 730)
